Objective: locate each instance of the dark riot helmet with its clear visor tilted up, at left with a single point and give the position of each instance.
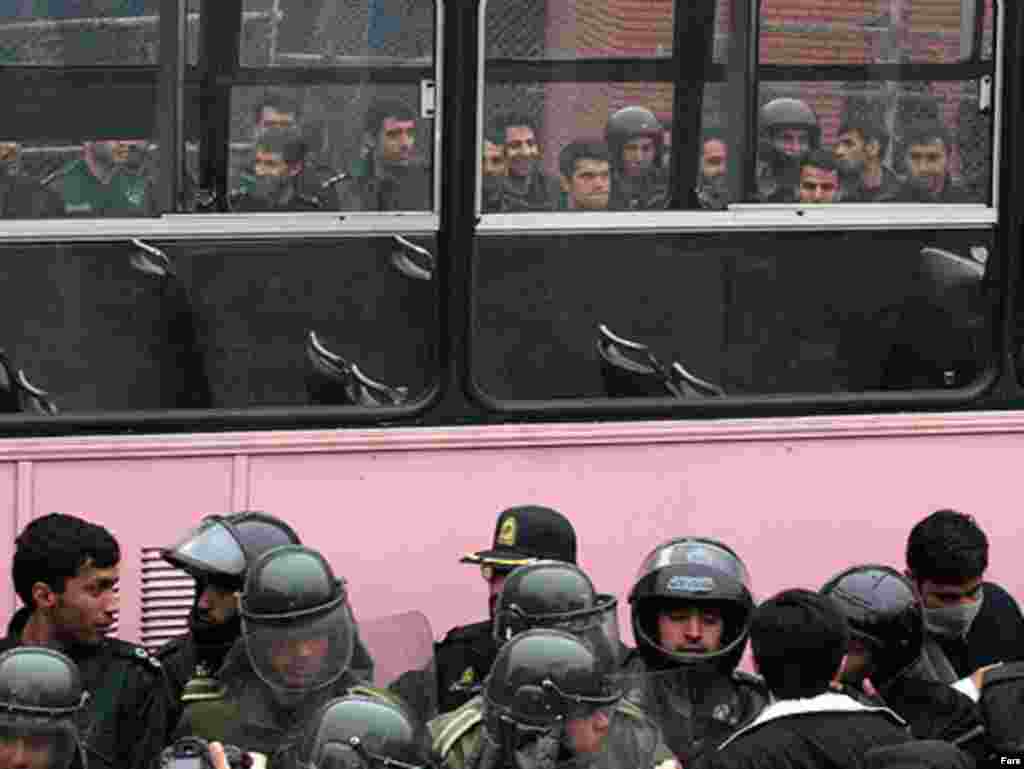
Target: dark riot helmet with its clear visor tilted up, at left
(223, 546)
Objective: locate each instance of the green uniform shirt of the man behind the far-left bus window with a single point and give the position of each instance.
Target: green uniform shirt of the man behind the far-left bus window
(125, 195)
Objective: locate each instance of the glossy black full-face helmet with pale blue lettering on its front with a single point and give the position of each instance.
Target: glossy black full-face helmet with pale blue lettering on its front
(693, 571)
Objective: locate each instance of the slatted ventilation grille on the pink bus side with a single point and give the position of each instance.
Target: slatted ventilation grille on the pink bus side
(167, 599)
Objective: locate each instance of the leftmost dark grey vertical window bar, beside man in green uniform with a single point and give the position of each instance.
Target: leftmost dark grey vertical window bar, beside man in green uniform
(170, 104)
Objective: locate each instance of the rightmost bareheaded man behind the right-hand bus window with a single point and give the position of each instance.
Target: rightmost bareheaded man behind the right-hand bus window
(929, 153)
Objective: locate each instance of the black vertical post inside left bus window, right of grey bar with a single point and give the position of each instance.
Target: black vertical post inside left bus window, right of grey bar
(221, 31)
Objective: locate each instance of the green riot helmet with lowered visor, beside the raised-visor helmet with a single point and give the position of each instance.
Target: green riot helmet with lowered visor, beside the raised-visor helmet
(296, 623)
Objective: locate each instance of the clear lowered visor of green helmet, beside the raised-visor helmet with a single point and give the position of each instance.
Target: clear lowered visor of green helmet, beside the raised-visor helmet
(300, 657)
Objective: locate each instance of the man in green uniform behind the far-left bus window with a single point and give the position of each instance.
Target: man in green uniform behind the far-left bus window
(108, 181)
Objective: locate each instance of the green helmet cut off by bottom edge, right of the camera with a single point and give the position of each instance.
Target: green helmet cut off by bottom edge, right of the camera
(357, 733)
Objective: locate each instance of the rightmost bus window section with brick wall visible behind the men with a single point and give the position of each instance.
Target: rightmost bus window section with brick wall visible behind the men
(895, 138)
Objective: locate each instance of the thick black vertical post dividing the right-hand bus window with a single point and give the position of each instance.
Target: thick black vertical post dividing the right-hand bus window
(693, 54)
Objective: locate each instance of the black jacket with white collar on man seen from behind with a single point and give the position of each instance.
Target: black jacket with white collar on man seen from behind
(829, 731)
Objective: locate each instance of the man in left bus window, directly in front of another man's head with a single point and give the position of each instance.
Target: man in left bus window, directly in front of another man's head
(273, 181)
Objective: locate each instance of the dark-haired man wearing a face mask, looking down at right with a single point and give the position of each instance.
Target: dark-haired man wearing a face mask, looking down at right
(969, 623)
